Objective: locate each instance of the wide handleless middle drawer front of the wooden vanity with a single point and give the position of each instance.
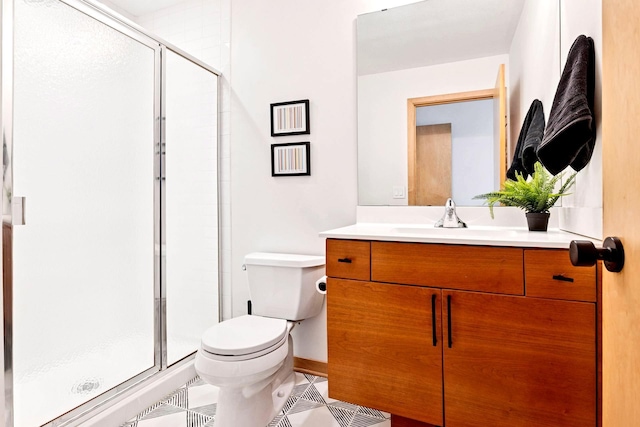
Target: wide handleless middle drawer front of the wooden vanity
(473, 268)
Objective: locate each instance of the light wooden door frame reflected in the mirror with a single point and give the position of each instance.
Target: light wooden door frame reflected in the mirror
(413, 104)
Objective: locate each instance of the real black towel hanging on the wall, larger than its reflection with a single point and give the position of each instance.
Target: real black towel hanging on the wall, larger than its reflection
(571, 129)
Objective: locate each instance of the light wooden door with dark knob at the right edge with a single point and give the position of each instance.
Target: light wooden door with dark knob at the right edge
(621, 181)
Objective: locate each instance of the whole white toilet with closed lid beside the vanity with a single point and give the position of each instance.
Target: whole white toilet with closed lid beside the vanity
(250, 358)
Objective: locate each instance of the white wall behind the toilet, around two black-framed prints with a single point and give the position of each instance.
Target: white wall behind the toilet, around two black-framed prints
(284, 50)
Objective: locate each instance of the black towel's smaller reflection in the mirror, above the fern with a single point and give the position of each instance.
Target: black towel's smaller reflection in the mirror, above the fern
(530, 137)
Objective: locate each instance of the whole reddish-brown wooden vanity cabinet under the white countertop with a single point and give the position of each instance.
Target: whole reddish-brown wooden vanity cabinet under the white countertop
(502, 356)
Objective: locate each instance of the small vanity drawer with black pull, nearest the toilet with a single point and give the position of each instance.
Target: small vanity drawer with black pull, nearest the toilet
(349, 259)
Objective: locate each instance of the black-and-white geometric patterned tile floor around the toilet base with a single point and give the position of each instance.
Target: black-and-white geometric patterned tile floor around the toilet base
(194, 405)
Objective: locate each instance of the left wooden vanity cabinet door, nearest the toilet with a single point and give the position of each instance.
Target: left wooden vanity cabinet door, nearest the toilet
(385, 347)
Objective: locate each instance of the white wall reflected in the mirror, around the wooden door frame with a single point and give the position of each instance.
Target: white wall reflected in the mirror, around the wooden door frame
(382, 118)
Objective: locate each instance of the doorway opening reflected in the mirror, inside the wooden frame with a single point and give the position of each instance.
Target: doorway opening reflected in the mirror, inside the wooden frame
(455, 153)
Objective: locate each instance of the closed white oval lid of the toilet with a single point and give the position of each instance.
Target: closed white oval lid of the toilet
(244, 335)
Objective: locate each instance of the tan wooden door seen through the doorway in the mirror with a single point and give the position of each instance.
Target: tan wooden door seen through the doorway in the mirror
(433, 164)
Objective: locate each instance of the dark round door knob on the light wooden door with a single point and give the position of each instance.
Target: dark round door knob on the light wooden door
(584, 253)
